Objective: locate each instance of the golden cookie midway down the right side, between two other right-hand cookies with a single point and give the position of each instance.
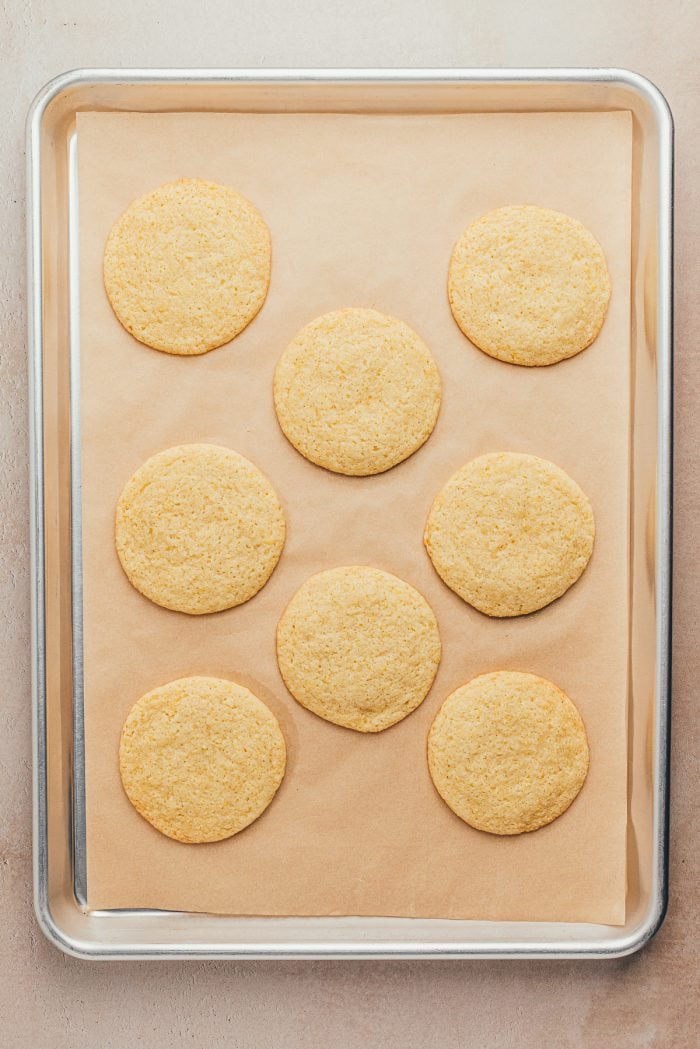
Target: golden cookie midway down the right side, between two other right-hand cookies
(511, 533)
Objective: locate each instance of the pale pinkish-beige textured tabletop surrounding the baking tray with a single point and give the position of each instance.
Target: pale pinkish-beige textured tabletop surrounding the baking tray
(51, 1001)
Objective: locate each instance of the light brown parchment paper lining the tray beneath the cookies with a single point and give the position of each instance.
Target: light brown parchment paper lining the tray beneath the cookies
(364, 211)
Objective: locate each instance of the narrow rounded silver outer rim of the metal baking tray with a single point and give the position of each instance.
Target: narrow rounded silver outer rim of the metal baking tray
(614, 948)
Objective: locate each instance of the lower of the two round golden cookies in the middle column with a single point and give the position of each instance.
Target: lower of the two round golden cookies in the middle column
(359, 648)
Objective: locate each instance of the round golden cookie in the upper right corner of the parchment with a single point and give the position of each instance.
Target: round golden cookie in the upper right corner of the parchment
(529, 286)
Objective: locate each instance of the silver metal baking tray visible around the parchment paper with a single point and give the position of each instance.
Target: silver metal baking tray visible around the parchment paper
(59, 839)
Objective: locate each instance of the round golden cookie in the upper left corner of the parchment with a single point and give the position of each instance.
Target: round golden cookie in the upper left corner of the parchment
(187, 267)
